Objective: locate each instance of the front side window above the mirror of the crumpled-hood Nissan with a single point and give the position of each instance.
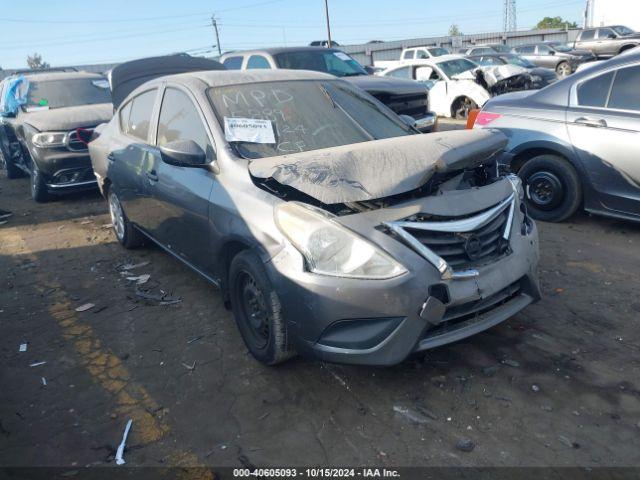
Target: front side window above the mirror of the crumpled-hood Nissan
(179, 120)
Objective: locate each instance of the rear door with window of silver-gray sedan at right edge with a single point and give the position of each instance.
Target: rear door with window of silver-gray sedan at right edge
(604, 126)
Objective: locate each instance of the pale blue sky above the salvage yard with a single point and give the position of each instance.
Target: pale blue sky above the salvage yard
(79, 32)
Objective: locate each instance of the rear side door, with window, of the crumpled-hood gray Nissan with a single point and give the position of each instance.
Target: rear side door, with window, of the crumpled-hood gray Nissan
(131, 156)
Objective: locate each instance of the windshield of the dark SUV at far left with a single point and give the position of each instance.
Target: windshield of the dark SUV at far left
(67, 93)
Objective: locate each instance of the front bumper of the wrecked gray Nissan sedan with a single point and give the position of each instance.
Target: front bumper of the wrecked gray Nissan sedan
(381, 322)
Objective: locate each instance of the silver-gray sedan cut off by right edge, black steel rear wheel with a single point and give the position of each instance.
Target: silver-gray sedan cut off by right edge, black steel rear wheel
(577, 142)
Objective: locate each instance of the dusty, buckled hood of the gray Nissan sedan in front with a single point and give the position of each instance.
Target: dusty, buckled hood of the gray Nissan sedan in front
(379, 168)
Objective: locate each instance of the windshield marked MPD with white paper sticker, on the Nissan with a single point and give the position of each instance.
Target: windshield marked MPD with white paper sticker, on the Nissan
(301, 115)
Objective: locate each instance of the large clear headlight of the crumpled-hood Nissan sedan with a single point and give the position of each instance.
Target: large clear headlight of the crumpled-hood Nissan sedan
(331, 249)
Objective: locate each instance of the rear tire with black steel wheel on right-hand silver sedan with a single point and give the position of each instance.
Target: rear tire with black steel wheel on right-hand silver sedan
(553, 191)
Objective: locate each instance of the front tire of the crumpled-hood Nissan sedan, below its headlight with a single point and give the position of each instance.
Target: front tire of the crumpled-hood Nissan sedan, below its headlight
(257, 310)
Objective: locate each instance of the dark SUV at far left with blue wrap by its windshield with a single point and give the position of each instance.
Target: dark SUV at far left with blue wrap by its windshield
(47, 120)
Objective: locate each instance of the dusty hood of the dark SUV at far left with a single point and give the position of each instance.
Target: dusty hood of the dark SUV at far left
(69, 118)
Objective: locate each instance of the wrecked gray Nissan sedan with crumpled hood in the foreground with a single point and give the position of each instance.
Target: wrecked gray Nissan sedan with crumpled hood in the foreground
(333, 228)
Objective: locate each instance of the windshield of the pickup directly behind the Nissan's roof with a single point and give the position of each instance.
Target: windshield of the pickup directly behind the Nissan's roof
(328, 61)
